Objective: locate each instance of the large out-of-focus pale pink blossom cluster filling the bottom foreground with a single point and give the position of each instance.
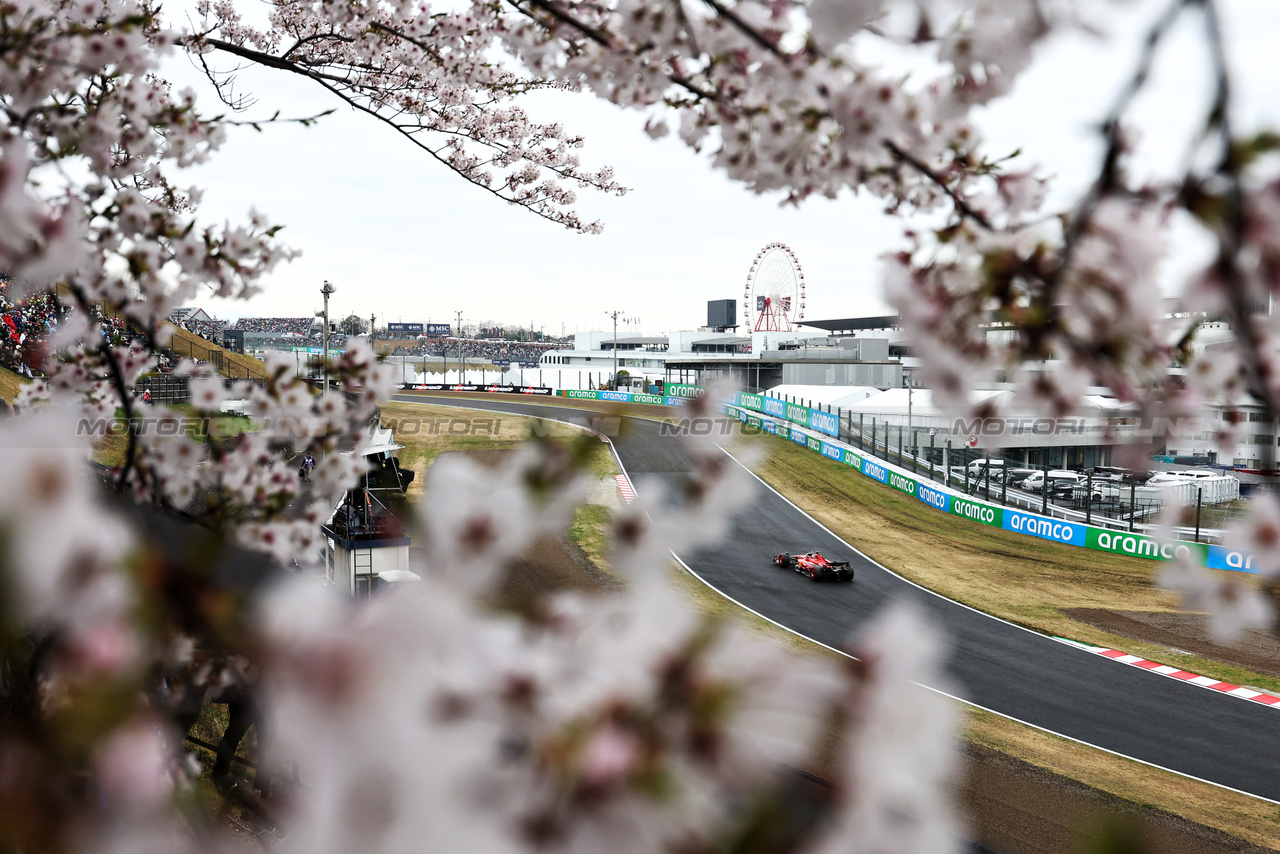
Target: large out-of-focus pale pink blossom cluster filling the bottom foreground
(431, 718)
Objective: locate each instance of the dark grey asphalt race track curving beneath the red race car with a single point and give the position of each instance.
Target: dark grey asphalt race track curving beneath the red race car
(995, 665)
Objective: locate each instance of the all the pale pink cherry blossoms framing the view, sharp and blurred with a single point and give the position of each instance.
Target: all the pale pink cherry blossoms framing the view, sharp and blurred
(436, 718)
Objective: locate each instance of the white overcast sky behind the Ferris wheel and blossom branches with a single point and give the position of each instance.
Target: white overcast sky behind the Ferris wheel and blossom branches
(403, 238)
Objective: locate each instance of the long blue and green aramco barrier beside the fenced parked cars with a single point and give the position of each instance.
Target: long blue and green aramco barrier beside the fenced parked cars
(1099, 540)
